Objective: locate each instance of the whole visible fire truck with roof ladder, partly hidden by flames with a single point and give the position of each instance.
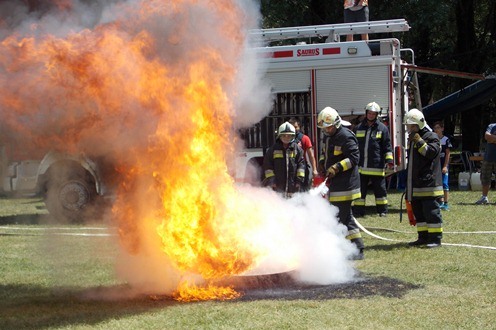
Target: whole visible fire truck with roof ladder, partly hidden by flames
(304, 76)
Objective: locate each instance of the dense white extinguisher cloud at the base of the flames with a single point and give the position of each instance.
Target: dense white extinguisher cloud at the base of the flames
(303, 235)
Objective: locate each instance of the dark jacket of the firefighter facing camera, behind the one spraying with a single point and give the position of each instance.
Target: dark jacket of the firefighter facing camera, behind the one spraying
(375, 148)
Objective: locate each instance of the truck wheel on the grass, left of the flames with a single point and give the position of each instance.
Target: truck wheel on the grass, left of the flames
(70, 200)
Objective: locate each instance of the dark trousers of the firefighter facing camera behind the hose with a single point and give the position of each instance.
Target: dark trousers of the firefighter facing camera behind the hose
(379, 187)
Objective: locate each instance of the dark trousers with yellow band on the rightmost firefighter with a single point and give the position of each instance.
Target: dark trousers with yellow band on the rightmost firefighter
(429, 220)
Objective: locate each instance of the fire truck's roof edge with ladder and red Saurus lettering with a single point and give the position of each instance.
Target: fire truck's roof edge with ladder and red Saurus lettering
(297, 45)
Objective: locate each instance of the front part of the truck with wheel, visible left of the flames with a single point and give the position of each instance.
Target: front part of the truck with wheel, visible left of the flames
(70, 184)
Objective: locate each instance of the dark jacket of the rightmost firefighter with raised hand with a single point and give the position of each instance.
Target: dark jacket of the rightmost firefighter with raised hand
(424, 180)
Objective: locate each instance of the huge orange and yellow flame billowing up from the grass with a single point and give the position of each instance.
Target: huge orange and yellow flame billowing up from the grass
(153, 94)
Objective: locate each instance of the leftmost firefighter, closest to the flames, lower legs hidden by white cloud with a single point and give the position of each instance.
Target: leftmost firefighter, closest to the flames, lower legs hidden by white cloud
(284, 165)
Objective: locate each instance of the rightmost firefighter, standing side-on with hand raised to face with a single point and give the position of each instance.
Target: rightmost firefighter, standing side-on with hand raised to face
(424, 182)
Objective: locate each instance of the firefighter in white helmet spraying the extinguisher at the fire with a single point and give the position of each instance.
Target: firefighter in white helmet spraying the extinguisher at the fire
(338, 162)
